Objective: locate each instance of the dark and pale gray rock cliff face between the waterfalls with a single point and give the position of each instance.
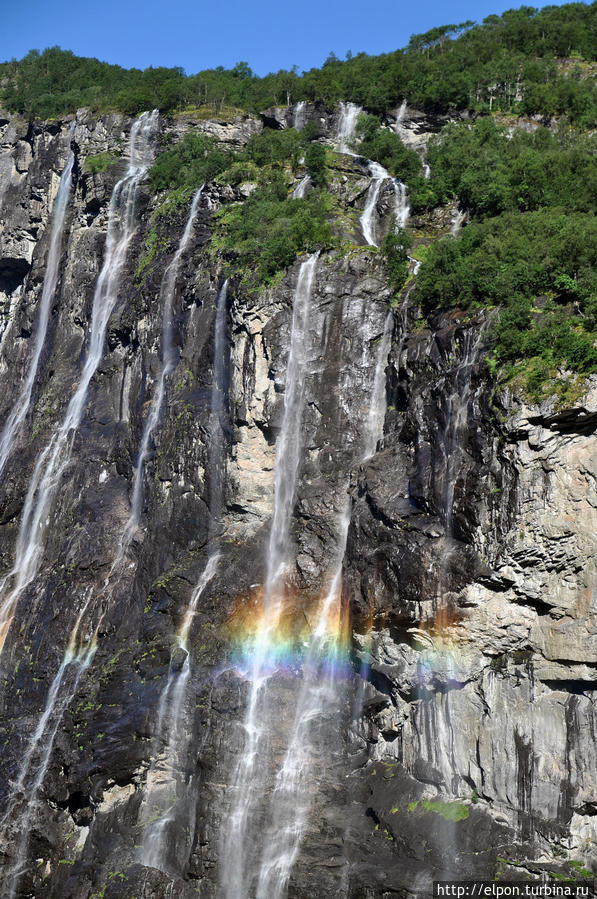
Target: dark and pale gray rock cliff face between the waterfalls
(463, 728)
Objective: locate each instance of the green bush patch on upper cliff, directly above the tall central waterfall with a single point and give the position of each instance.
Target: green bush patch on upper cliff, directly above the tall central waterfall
(264, 234)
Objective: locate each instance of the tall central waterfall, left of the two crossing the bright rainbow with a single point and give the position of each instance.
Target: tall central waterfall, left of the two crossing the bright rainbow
(238, 839)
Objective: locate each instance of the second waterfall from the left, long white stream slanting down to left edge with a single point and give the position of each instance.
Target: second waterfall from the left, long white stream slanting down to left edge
(52, 462)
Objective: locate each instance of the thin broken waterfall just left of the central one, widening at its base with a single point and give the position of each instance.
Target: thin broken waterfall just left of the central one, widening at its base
(161, 812)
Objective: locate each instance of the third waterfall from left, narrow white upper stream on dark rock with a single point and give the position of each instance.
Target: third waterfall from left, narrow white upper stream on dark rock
(167, 289)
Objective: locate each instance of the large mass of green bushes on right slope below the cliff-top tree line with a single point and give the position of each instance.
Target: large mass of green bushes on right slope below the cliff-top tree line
(531, 248)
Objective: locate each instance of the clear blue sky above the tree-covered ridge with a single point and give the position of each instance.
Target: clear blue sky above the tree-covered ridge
(199, 34)
